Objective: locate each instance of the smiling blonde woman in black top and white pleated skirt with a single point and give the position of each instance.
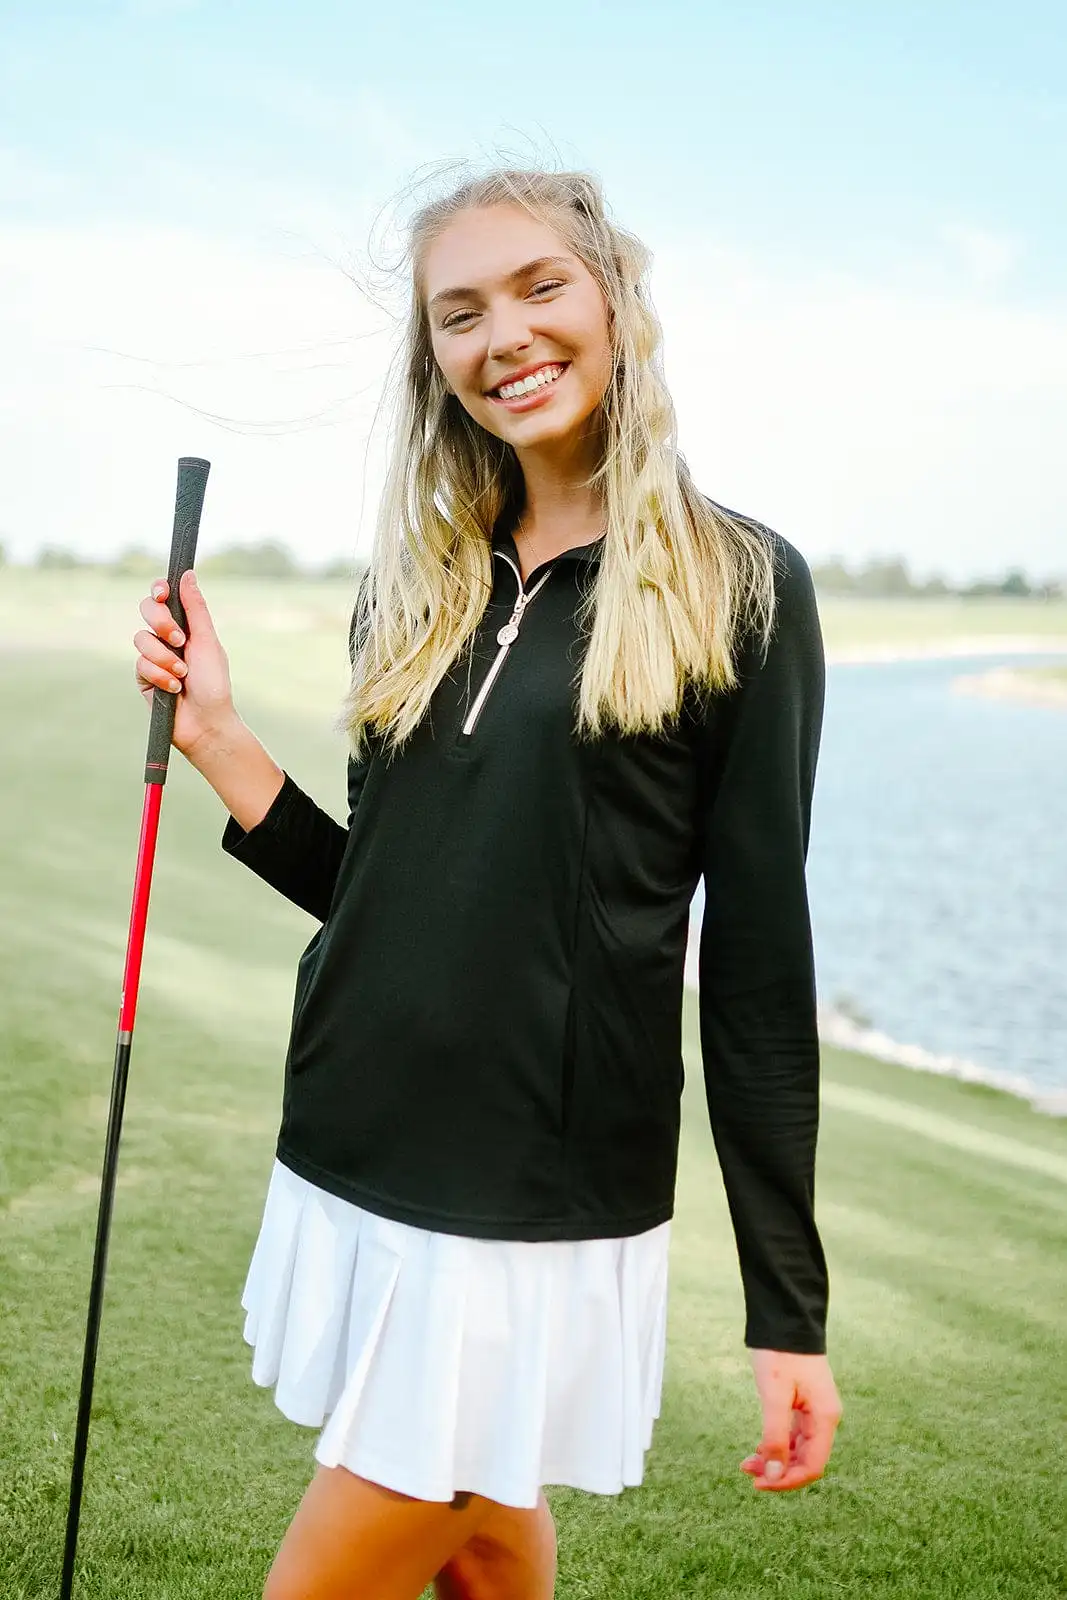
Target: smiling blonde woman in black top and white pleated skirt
(463, 1262)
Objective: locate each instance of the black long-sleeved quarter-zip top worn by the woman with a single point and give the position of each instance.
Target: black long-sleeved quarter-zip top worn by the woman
(487, 1023)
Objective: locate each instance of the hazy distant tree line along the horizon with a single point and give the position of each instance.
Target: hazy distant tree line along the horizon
(877, 578)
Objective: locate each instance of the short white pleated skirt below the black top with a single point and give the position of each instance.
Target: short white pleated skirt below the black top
(441, 1364)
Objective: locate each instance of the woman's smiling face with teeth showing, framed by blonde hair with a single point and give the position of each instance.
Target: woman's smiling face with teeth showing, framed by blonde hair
(508, 300)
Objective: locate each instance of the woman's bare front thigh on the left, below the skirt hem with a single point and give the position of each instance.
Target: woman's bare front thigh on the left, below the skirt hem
(354, 1540)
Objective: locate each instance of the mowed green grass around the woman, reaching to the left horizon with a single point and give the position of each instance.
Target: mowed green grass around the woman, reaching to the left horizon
(943, 1209)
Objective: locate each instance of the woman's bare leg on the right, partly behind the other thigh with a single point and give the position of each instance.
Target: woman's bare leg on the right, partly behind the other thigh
(511, 1556)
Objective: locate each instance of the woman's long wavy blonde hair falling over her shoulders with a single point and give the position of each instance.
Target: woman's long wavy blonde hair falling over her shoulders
(679, 577)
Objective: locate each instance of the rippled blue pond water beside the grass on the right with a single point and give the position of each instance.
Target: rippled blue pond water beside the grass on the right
(938, 866)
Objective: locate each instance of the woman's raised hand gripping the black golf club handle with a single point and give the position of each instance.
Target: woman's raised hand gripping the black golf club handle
(201, 681)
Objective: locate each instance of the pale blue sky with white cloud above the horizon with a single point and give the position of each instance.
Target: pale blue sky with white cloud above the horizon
(857, 215)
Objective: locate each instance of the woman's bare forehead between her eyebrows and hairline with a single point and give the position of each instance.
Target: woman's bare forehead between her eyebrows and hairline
(482, 247)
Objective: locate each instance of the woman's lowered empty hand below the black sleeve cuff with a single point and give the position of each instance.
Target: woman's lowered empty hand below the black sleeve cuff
(801, 1415)
